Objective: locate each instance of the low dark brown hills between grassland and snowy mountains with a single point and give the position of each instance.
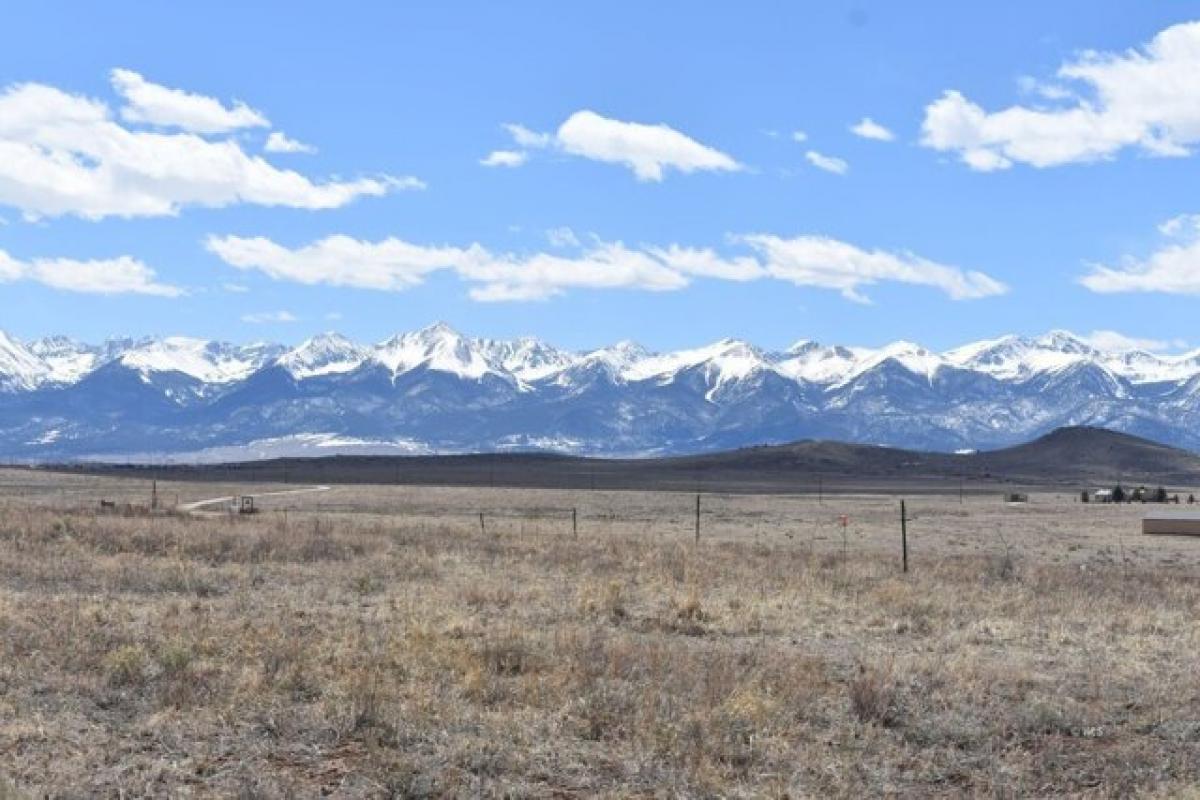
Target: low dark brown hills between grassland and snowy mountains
(1066, 459)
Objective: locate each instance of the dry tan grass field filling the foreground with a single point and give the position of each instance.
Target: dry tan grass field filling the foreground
(382, 642)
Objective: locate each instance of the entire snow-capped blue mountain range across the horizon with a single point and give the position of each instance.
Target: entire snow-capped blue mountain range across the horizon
(435, 390)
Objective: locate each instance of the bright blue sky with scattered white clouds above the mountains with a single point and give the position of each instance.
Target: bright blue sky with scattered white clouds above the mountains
(1000, 216)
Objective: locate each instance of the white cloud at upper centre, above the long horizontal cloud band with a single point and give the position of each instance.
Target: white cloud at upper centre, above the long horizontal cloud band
(650, 152)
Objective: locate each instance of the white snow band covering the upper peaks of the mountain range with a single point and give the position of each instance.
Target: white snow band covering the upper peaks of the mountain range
(526, 362)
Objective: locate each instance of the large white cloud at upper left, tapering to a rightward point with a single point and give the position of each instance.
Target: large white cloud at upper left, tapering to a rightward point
(63, 154)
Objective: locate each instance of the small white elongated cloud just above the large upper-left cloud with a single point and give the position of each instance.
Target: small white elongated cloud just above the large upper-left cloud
(154, 105)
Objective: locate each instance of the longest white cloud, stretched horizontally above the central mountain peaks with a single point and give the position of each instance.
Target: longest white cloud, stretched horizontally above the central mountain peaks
(394, 266)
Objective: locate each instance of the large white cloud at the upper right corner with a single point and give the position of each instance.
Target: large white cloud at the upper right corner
(1147, 98)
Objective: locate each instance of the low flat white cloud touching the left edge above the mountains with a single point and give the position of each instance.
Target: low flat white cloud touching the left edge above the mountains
(123, 275)
